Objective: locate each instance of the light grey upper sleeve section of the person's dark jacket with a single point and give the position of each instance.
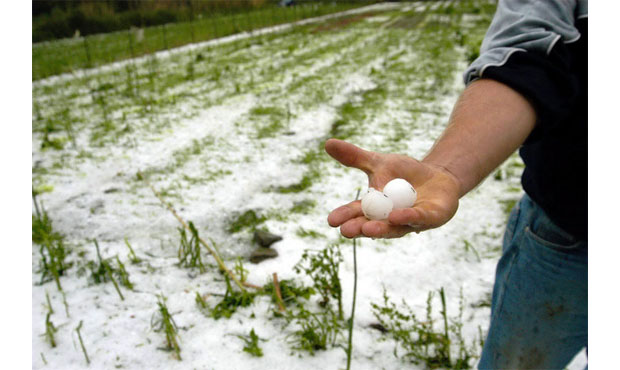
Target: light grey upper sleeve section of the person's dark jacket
(526, 26)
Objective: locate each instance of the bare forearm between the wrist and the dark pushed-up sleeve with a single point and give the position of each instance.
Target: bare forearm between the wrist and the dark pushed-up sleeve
(489, 122)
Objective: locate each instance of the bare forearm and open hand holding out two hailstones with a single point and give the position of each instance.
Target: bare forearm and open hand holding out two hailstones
(488, 123)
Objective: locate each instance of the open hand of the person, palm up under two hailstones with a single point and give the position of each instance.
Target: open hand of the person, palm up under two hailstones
(437, 189)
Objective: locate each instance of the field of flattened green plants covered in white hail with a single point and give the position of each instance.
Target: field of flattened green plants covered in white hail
(230, 133)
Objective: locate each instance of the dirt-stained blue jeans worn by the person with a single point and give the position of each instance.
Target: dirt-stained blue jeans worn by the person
(539, 309)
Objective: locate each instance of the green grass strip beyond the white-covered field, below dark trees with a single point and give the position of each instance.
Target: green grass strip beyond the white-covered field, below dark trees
(68, 55)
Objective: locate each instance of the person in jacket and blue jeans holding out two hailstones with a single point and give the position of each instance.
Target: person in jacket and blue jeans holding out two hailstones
(527, 90)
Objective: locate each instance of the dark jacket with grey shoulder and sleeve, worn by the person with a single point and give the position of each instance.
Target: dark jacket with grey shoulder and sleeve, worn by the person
(540, 48)
